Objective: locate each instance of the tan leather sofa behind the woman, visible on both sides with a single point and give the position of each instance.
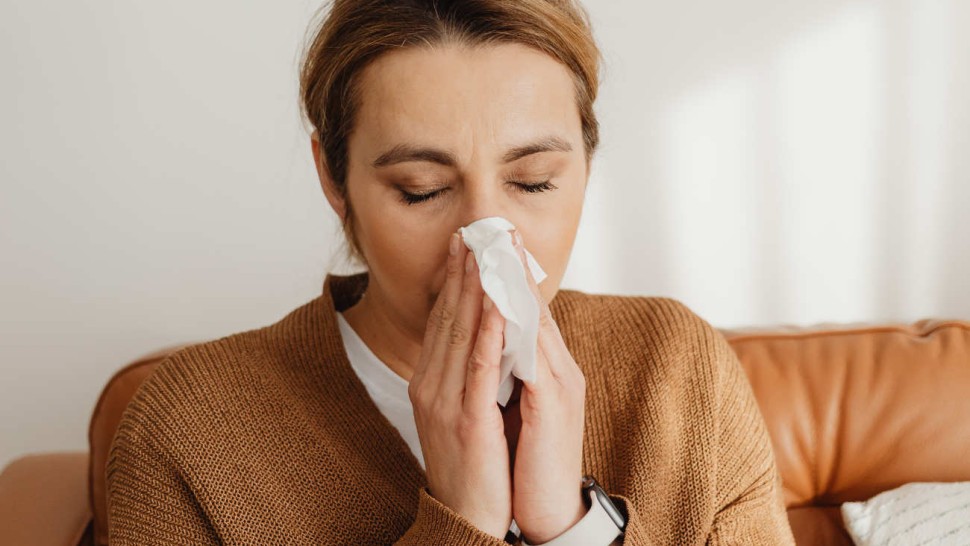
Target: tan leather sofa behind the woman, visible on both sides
(853, 410)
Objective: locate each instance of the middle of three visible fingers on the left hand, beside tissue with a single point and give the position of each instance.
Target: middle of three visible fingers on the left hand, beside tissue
(464, 328)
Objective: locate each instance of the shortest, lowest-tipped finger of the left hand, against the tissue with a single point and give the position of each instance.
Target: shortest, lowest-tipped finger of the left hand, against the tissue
(484, 364)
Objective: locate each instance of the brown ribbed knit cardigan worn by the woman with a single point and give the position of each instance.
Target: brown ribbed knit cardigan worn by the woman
(269, 437)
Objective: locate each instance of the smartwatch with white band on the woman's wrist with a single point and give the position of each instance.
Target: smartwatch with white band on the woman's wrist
(602, 523)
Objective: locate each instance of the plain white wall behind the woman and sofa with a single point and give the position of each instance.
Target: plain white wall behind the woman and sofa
(765, 161)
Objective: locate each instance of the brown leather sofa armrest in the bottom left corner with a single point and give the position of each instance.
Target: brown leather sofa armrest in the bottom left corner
(44, 500)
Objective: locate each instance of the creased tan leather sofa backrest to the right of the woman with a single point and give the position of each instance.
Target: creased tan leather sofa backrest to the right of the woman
(855, 410)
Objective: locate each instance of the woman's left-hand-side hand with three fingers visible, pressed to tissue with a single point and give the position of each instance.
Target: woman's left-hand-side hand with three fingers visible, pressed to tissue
(453, 392)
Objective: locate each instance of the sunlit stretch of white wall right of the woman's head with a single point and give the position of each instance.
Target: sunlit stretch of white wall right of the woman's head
(793, 162)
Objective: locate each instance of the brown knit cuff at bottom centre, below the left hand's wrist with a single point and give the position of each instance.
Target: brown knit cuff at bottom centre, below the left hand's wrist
(436, 523)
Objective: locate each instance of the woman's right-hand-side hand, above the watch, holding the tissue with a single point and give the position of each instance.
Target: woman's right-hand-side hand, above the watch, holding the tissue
(546, 497)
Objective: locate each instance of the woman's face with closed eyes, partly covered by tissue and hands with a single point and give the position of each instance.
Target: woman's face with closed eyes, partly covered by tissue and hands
(468, 126)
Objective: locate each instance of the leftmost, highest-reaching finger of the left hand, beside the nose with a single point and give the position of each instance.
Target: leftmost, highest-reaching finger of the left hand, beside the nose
(442, 314)
